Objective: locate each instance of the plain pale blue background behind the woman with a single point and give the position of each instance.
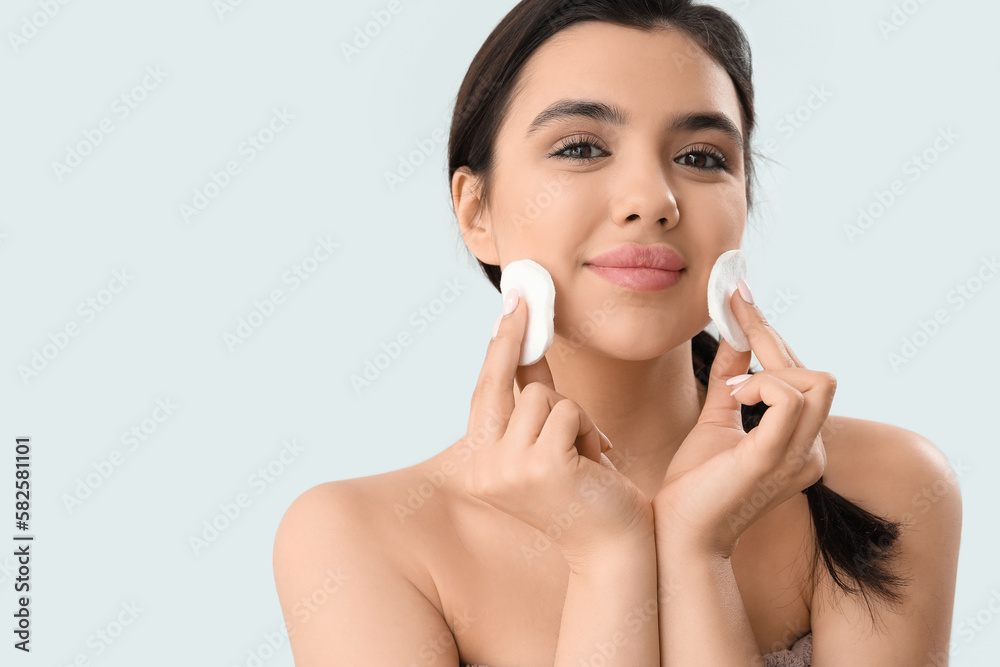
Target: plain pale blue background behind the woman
(849, 304)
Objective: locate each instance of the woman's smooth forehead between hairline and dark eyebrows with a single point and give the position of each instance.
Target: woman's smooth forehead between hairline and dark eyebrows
(650, 74)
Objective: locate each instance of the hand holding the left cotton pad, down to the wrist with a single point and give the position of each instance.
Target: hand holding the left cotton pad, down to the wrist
(535, 459)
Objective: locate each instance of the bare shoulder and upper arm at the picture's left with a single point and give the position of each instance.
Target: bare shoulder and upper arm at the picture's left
(345, 596)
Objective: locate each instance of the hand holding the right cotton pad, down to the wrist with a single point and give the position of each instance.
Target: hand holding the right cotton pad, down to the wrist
(722, 479)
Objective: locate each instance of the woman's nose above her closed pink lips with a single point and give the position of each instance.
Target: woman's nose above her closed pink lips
(646, 194)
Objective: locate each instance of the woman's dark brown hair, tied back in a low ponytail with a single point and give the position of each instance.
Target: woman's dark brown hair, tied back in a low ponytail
(856, 546)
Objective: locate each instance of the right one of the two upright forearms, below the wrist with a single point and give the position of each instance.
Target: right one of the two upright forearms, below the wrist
(702, 620)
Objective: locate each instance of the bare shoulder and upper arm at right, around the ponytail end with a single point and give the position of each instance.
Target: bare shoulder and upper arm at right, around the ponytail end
(904, 478)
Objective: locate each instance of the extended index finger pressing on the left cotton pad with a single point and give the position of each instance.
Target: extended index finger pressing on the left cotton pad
(493, 397)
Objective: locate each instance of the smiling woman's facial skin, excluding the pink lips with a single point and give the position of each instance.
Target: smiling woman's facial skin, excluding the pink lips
(577, 186)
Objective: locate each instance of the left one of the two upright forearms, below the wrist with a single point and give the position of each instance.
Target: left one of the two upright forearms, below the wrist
(610, 613)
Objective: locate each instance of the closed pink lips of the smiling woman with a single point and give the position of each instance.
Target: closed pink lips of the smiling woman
(643, 268)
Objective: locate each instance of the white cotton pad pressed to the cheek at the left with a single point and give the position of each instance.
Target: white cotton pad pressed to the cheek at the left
(535, 285)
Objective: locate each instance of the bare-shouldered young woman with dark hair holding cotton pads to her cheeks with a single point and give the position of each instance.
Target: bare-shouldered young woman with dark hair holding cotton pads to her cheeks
(724, 527)
